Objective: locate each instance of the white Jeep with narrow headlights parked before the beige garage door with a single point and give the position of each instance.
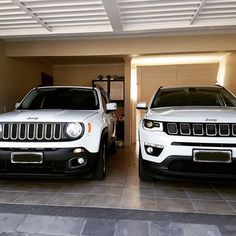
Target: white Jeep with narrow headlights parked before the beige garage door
(188, 131)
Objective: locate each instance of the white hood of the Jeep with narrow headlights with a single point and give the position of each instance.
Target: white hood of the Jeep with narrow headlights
(196, 114)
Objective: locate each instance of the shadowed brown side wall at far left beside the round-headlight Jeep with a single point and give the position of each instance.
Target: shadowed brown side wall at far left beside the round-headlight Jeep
(17, 77)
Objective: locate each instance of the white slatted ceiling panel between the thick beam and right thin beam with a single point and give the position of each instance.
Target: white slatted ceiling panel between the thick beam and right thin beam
(150, 14)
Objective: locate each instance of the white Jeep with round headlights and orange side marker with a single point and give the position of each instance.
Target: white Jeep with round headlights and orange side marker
(58, 130)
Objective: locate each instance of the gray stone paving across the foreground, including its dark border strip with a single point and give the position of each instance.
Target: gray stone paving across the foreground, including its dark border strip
(110, 222)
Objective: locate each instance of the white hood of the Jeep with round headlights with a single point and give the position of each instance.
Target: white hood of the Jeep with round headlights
(46, 116)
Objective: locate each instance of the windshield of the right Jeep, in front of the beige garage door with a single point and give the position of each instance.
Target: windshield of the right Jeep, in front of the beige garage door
(193, 97)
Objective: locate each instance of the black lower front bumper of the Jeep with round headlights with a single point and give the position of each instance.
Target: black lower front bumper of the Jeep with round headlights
(55, 162)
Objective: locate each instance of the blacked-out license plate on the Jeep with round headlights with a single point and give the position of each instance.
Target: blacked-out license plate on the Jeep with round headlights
(27, 157)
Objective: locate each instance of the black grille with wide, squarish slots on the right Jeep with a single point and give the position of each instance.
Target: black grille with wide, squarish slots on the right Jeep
(200, 129)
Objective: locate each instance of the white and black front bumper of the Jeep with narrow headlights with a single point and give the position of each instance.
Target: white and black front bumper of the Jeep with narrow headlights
(173, 155)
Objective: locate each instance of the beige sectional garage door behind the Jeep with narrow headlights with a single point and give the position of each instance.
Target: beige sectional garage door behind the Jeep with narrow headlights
(152, 77)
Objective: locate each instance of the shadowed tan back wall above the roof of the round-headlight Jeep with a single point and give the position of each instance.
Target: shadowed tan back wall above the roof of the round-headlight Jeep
(82, 75)
